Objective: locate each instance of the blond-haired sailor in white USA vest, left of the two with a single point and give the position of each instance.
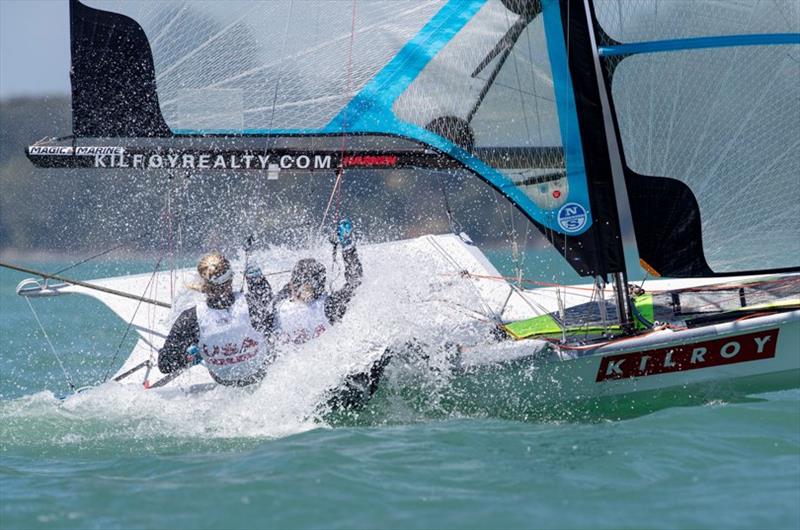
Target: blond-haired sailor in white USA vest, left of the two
(228, 331)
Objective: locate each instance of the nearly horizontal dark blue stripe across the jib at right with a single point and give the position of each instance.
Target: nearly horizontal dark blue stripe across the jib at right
(726, 41)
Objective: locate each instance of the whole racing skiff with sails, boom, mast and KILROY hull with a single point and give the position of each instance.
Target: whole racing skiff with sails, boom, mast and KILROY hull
(668, 130)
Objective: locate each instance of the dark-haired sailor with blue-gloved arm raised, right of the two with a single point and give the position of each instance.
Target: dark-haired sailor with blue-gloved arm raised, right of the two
(303, 308)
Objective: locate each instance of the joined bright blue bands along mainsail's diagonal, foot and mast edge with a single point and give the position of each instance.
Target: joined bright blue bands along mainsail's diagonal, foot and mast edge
(370, 111)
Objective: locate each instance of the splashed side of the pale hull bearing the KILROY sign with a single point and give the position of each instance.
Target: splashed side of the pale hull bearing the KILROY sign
(544, 384)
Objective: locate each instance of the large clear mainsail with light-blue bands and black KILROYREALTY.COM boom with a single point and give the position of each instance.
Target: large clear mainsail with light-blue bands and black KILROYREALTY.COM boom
(486, 86)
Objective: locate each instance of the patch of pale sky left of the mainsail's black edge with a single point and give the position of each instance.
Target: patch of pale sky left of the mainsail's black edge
(34, 47)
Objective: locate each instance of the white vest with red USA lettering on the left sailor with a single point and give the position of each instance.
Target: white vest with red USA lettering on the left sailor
(231, 348)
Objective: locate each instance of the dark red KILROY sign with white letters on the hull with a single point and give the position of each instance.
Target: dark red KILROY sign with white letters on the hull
(742, 348)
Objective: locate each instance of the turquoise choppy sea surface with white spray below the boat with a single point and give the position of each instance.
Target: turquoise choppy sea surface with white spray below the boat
(112, 459)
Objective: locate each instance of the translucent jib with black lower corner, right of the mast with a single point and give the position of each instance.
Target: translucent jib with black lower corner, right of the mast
(706, 101)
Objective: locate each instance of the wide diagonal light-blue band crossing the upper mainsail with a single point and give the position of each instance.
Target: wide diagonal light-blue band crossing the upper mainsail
(372, 105)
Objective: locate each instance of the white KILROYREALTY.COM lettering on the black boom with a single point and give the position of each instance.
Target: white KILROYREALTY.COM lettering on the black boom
(213, 161)
